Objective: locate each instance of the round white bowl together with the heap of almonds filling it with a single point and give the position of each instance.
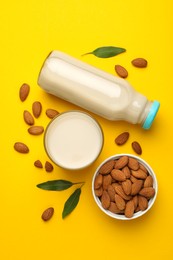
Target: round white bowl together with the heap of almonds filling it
(124, 186)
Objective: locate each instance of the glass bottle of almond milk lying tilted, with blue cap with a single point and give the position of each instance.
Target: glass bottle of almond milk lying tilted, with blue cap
(95, 90)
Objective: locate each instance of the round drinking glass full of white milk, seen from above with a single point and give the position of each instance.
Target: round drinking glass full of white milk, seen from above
(73, 140)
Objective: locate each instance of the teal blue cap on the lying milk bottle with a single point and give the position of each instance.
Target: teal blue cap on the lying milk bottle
(151, 115)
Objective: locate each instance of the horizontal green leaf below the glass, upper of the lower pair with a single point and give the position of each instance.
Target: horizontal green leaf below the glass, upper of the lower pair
(56, 185)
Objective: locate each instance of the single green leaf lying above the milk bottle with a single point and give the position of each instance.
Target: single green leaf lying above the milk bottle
(106, 51)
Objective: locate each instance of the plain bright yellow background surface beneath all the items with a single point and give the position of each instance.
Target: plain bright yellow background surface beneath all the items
(29, 30)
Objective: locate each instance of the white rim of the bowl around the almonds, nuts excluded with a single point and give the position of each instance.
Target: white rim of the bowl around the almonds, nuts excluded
(150, 202)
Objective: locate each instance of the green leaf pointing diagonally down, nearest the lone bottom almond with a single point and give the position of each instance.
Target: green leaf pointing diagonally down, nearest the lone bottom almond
(71, 203)
